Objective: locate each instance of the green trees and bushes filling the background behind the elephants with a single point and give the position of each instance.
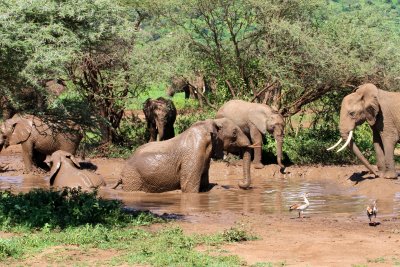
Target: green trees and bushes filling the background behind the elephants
(300, 57)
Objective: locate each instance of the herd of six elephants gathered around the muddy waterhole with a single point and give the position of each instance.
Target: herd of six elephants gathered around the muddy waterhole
(170, 162)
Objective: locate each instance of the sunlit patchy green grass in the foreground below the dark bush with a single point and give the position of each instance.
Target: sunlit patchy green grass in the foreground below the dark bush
(166, 247)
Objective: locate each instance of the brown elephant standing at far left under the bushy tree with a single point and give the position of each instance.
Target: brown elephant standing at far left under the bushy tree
(39, 137)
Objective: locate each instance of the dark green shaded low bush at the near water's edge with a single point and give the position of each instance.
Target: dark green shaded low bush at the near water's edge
(60, 209)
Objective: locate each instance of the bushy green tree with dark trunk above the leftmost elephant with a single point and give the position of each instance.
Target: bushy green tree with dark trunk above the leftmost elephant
(88, 44)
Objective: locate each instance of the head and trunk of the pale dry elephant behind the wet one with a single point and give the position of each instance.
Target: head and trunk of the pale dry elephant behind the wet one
(271, 121)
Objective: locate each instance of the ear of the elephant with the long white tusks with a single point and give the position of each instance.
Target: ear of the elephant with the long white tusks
(369, 94)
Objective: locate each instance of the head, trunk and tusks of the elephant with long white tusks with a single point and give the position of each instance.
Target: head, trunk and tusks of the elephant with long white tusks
(358, 107)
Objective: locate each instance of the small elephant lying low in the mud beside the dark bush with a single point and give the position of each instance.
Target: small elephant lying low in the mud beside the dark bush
(65, 172)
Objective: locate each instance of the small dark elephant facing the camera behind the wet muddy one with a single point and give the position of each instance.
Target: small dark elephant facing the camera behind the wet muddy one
(160, 116)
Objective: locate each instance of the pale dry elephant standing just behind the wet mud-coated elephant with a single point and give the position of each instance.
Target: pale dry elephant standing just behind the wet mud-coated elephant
(255, 120)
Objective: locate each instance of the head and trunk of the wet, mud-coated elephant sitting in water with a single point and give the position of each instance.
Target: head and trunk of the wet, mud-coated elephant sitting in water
(227, 135)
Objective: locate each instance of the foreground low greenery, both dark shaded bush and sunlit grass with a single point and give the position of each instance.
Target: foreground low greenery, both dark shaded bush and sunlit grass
(56, 223)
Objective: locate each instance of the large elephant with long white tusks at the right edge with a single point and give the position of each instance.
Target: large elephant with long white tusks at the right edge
(381, 109)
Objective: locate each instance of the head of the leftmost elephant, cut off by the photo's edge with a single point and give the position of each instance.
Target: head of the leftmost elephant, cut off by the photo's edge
(15, 131)
